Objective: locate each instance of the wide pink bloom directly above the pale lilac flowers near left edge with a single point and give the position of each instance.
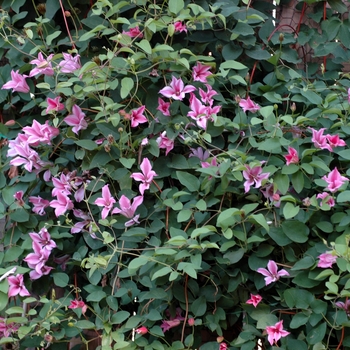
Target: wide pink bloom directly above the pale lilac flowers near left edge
(40, 133)
